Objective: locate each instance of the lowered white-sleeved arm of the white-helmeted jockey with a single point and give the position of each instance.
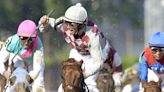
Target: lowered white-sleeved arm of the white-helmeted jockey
(96, 54)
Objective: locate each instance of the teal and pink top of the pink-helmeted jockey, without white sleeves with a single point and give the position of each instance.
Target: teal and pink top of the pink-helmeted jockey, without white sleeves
(14, 45)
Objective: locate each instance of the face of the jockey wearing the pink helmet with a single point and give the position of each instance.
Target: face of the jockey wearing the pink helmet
(27, 41)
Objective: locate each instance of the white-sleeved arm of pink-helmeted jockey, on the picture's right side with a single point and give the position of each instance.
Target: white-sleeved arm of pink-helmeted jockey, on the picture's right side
(38, 63)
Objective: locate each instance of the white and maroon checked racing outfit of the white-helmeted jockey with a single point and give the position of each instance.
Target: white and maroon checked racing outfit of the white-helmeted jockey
(88, 45)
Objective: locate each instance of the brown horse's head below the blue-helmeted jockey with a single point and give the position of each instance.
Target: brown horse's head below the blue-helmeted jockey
(152, 86)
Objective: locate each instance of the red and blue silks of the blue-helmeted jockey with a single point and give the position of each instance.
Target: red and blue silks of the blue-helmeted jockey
(148, 61)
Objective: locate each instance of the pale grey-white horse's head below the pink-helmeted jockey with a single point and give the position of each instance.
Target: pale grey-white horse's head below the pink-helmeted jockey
(19, 81)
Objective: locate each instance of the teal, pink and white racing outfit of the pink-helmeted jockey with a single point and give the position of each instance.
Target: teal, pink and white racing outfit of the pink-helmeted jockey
(33, 56)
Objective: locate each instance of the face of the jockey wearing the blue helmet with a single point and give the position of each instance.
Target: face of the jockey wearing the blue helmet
(158, 52)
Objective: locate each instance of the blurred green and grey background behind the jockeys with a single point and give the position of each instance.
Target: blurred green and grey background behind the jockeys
(127, 23)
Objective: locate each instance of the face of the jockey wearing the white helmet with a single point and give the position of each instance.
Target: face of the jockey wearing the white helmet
(73, 27)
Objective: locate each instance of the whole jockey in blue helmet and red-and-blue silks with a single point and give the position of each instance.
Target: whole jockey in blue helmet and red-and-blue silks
(152, 59)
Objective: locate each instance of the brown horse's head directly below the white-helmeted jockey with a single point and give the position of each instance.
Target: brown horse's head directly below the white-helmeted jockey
(72, 76)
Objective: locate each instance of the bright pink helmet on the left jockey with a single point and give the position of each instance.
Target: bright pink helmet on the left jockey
(27, 28)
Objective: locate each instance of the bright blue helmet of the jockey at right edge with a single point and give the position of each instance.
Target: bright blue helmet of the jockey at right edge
(157, 40)
